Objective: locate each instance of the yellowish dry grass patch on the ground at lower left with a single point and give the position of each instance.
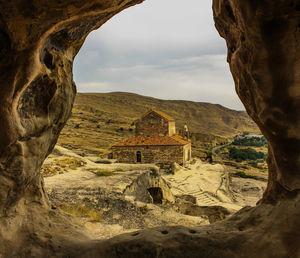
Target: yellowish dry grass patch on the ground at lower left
(82, 211)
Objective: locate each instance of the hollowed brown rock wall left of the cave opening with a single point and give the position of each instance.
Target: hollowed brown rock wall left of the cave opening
(38, 43)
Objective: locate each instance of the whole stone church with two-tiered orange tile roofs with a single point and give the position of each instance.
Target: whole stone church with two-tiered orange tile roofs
(155, 141)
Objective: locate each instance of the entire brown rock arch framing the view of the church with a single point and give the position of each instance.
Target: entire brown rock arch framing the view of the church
(38, 42)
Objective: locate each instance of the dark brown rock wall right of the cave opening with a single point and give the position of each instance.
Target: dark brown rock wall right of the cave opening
(263, 54)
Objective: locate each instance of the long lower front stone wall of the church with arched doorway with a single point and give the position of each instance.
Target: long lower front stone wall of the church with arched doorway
(151, 154)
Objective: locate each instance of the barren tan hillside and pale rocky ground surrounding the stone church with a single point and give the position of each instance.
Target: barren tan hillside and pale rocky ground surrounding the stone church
(110, 198)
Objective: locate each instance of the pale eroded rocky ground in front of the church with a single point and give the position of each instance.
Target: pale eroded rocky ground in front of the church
(111, 198)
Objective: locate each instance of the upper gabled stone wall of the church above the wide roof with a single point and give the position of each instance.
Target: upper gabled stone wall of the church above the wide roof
(152, 125)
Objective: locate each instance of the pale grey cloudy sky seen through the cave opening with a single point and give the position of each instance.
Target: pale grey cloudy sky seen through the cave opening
(160, 48)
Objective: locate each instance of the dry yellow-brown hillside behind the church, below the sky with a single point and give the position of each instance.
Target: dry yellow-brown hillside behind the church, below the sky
(100, 119)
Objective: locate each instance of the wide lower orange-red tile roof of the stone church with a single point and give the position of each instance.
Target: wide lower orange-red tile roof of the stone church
(152, 141)
